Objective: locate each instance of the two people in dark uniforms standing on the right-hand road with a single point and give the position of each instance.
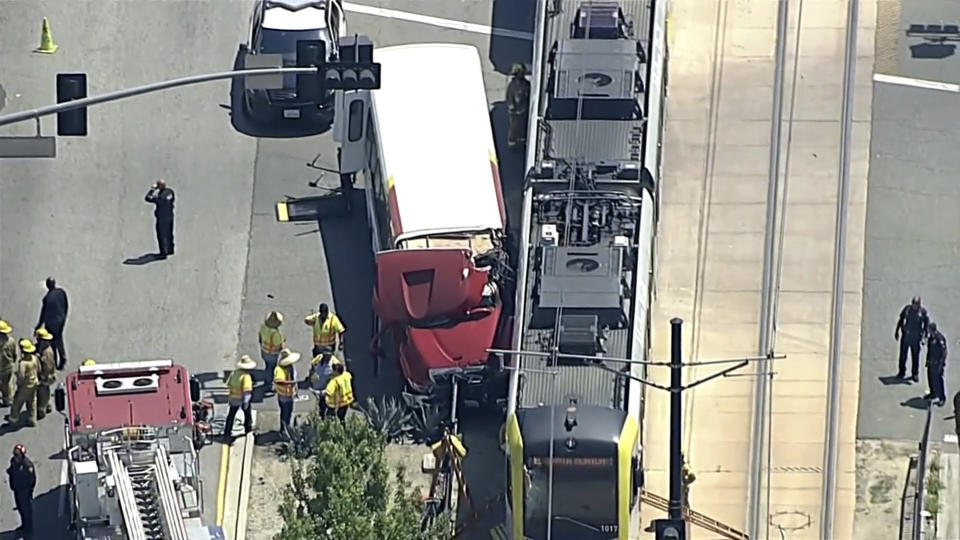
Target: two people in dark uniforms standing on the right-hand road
(913, 330)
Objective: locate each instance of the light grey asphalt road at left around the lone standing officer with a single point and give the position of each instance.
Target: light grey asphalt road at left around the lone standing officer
(80, 216)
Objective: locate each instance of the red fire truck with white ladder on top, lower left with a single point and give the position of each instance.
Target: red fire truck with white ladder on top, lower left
(132, 467)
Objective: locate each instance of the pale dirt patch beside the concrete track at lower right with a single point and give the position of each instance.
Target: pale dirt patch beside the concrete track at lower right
(881, 473)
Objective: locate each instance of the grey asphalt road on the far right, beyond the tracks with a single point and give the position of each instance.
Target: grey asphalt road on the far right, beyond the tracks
(911, 245)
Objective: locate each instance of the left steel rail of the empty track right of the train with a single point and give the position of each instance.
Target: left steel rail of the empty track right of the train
(761, 390)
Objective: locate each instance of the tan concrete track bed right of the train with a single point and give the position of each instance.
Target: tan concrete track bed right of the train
(709, 259)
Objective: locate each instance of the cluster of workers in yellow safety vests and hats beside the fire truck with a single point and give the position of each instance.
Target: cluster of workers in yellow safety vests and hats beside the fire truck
(328, 376)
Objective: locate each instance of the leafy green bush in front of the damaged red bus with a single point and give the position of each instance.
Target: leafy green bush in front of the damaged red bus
(340, 488)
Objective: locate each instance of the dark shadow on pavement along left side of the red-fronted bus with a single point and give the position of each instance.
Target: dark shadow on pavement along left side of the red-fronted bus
(349, 256)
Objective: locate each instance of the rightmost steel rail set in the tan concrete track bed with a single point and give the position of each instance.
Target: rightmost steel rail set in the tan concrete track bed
(831, 435)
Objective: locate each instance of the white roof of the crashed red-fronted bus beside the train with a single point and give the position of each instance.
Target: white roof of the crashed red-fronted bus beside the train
(436, 140)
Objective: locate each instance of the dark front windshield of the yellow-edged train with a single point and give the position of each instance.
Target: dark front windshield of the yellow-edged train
(584, 495)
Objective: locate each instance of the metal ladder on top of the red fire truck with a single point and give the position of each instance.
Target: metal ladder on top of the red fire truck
(148, 498)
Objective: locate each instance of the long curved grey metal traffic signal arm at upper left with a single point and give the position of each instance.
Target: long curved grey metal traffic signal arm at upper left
(144, 89)
